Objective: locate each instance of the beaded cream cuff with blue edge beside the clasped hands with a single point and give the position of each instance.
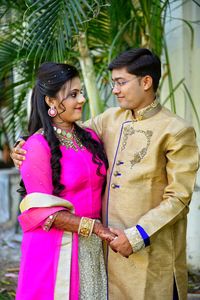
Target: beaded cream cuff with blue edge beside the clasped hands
(137, 238)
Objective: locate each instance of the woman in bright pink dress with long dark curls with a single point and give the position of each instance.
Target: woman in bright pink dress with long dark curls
(63, 175)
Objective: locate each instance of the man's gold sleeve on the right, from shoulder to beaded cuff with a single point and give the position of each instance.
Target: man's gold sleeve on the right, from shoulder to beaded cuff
(182, 159)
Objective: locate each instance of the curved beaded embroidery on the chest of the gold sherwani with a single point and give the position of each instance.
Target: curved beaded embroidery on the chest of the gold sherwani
(138, 155)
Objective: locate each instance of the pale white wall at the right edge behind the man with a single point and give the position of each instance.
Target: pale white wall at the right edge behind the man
(185, 63)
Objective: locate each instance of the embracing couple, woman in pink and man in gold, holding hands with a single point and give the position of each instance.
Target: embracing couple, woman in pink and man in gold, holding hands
(152, 163)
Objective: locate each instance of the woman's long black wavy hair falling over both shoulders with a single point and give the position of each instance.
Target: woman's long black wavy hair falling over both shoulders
(50, 79)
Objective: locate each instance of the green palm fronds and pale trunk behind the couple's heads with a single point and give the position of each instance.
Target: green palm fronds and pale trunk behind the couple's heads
(82, 32)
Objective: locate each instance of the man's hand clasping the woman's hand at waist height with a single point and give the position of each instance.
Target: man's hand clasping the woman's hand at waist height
(121, 243)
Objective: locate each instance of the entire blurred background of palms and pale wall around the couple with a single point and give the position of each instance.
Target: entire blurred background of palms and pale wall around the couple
(89, 34)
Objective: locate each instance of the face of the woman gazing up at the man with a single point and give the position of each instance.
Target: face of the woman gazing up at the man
(69, 103)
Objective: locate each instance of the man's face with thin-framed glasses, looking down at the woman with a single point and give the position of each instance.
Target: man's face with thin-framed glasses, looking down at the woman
(131, 90)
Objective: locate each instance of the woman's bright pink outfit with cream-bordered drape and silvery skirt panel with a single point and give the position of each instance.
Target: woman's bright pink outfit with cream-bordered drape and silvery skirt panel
(54, 264)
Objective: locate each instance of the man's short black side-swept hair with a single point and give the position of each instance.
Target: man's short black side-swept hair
(140, 62)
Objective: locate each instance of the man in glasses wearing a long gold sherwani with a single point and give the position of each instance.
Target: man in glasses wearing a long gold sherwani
(153, 159)
